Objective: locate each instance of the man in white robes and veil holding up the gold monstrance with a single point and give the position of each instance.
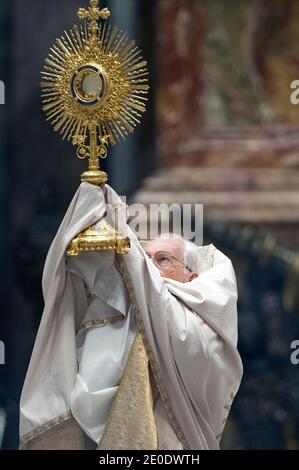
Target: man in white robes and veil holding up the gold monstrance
(131, 353)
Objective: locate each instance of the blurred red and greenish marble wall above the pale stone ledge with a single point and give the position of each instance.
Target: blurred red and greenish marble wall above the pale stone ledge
(224, 74)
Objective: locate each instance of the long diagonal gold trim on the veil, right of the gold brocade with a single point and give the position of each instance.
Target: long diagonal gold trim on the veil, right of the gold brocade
(155, 368)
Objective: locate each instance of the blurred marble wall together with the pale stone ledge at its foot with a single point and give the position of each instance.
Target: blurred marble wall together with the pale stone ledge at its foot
(227, 132)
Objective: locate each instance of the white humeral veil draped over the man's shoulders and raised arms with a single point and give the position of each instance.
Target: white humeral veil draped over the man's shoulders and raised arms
(190, 328)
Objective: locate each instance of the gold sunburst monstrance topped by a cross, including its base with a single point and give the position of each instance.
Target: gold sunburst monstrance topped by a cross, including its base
(95, 87)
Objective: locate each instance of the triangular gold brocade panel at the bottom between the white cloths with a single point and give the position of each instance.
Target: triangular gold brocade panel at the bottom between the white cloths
(131, 423)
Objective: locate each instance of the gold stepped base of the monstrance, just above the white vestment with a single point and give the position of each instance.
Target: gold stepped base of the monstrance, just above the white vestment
(99, 237)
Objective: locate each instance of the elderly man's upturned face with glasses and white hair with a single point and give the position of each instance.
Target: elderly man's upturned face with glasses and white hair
(176, 268)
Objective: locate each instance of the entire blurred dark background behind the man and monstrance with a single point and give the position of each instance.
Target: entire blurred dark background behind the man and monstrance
(220, 130)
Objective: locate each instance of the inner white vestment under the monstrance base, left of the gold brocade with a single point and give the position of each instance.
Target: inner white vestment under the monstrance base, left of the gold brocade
(102, 346)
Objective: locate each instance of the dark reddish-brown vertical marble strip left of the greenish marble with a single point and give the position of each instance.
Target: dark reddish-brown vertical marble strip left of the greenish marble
(179, 59)
